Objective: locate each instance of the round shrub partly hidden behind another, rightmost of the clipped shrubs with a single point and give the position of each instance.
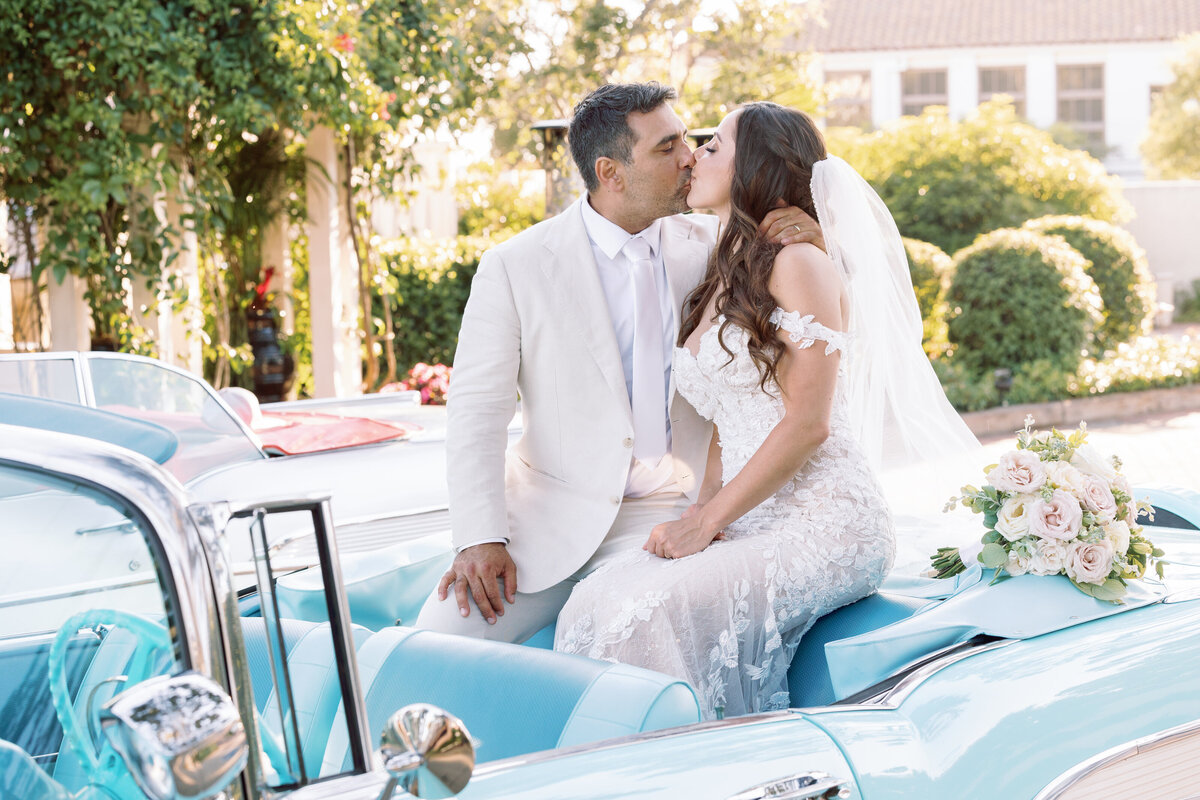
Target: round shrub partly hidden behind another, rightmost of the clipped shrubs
(1119, 268)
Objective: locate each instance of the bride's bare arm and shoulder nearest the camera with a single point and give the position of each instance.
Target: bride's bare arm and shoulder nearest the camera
(803, 280)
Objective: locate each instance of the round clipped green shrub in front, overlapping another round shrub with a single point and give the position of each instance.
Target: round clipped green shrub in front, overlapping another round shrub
(1019, 297)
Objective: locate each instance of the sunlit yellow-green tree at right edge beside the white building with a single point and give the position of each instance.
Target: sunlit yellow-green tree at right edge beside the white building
(1172, 146)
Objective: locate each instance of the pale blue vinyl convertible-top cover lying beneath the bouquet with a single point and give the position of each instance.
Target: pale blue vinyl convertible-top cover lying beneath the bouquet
(1017, 609)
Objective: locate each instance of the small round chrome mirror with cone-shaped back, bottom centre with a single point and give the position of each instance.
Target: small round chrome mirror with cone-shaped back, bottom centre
(427, 751)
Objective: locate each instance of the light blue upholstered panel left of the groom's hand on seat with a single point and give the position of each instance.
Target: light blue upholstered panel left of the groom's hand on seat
(383, 588)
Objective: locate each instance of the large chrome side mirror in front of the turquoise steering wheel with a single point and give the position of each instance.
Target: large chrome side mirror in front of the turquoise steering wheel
(181, 737)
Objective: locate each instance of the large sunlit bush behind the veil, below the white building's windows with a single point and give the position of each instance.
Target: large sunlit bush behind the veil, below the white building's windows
(946, 183)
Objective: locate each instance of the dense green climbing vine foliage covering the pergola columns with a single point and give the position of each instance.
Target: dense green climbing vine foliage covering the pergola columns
(111, 107)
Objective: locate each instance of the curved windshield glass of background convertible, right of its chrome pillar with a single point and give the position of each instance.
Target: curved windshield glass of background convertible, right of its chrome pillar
(209, 437)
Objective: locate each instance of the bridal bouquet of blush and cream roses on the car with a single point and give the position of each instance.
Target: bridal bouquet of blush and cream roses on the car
(1057, 507)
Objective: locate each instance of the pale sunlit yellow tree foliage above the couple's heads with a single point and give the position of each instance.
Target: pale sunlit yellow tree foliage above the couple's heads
(715, 58)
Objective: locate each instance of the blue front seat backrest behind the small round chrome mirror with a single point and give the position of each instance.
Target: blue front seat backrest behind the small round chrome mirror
(514, 700)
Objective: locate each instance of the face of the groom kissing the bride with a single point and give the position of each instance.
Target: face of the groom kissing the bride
(659, 178)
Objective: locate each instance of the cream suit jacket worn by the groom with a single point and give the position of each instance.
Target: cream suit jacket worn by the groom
(537, 324)
